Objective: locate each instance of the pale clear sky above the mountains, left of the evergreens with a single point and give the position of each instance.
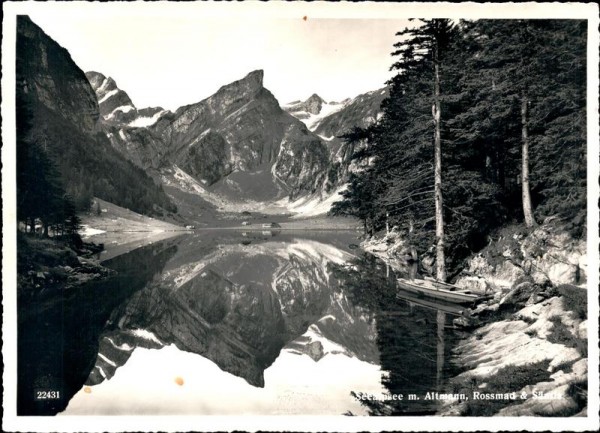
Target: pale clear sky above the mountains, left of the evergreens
(174, 60)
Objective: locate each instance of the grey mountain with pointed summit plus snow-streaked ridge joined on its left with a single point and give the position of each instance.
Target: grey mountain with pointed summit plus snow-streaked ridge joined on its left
(240, 129)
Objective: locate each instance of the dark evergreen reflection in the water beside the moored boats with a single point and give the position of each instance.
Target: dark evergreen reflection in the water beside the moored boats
(413, 340)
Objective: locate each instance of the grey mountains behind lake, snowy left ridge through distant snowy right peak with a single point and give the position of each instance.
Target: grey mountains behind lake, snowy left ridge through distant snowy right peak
(239, 144)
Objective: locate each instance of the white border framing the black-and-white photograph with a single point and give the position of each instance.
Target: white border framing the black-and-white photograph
(363, 10)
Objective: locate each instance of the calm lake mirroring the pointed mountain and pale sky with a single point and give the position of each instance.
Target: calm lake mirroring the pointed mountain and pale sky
(230, 322)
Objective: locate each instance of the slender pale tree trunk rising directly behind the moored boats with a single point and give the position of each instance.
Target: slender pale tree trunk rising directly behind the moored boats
(440, 261)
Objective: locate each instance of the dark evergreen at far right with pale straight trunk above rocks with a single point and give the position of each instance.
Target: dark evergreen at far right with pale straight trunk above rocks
(523, 75)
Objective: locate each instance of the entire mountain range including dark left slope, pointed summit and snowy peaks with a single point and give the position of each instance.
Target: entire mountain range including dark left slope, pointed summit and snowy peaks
(238, 144)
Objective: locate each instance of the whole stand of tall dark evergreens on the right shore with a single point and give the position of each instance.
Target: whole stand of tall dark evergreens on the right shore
(478, 125)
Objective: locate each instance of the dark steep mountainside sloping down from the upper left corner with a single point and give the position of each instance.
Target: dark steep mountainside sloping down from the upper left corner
(61, 111)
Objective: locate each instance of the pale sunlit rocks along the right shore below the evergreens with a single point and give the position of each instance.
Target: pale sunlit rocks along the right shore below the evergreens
(528, 344)
